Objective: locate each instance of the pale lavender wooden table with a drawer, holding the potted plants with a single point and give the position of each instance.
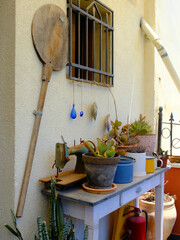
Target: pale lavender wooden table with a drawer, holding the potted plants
(92, 207)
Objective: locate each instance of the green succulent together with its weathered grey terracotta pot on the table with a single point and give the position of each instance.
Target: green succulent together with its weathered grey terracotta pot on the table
(100, 164)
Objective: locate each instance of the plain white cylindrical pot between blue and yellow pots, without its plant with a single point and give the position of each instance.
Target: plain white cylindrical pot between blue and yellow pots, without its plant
(139, 169)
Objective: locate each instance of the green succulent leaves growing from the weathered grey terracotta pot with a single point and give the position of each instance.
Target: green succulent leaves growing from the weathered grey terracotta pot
(104, 149)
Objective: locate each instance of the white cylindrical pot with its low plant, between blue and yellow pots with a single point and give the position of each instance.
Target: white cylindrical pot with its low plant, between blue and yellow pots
(139, 154)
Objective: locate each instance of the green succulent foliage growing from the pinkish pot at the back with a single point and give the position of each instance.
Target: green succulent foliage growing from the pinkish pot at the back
(140, 127)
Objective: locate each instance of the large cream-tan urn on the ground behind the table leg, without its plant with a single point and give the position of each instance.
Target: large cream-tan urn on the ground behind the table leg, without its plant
(169, 218)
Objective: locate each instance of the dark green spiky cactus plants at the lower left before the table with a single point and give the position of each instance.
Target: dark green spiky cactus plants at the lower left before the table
(59, 229)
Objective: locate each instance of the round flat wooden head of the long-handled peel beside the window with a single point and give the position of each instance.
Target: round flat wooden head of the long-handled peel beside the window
(50, 35)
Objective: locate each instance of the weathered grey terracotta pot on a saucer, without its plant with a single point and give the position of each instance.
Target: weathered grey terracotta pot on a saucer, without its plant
(100, 171)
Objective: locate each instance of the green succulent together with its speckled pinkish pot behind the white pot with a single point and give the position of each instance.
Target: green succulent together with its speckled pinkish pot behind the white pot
(143, 132)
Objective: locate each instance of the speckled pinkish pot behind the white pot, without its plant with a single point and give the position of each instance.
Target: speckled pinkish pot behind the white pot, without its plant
(148, 142)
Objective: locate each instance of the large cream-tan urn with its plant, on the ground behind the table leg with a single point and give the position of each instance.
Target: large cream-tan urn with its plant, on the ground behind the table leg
(147, 203)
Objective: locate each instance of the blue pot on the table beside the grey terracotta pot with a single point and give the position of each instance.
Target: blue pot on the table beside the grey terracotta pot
(124, 171)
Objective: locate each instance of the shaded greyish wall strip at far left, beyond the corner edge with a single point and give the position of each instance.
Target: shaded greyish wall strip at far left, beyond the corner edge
(7, 112)
